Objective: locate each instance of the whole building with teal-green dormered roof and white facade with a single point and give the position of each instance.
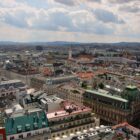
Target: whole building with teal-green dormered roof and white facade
(31, 125)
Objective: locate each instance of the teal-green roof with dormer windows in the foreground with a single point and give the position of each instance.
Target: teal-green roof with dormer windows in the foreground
(26, 122)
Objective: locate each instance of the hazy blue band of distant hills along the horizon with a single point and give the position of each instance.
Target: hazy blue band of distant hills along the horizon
(18, 45)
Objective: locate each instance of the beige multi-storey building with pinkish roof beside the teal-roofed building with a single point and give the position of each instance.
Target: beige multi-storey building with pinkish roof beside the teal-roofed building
(70, 120)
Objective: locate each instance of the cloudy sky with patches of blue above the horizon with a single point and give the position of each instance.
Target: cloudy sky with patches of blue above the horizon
(70, 20)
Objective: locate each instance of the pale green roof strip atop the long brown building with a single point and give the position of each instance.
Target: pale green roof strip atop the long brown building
(107, 95)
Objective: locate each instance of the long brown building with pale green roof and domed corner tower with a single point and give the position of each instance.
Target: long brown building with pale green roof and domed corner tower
(114, 109)
